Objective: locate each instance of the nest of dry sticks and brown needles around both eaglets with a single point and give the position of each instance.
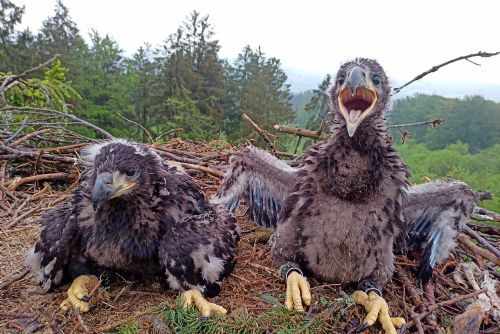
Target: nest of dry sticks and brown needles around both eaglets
(34, 180)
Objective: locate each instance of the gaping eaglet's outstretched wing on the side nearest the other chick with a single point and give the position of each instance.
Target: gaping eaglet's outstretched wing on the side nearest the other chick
(261, 180)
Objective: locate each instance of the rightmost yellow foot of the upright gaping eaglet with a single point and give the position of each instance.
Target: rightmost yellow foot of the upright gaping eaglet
(376, 307)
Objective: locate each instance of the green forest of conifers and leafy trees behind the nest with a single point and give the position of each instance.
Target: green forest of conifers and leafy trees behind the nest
(185, 84)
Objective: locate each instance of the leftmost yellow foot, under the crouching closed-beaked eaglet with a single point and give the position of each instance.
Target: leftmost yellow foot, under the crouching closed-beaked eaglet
(78, 293)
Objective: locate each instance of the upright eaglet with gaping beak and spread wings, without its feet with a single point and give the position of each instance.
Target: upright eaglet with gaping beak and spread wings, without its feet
(338, 215)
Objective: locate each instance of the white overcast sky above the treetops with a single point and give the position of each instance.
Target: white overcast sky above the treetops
(407, 37)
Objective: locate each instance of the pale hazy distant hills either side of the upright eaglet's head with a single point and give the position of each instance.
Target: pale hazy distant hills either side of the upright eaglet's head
(301, 81)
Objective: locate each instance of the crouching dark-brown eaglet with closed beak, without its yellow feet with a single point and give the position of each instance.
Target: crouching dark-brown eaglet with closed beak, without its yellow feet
(138, 215)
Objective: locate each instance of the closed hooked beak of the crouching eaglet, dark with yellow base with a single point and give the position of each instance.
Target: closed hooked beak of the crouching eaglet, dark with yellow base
(108, 186)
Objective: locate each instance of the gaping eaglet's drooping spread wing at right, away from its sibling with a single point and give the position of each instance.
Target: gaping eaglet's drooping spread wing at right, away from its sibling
(435, 213)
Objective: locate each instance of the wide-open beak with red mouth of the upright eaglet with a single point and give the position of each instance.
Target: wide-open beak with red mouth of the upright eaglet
(356, 99)
